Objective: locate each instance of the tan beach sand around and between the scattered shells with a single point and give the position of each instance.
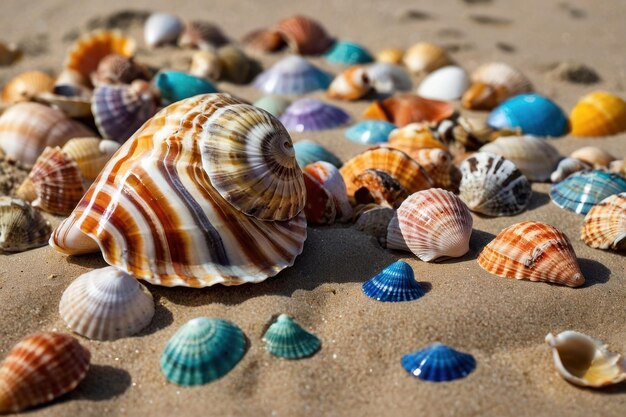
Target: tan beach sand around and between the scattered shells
(502, 322)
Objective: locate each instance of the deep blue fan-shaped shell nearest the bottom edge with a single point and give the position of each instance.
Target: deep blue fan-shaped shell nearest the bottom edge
(438, 362)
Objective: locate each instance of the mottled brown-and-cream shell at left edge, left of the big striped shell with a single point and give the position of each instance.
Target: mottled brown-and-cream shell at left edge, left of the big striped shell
(21, 226)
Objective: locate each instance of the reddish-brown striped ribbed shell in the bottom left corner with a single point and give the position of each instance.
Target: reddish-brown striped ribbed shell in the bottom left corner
(40, 368)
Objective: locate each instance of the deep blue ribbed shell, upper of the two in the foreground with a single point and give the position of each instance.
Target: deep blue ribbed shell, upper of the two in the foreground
(395, 283)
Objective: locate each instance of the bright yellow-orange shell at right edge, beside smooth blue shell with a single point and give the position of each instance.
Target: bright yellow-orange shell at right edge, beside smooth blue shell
(598, 114)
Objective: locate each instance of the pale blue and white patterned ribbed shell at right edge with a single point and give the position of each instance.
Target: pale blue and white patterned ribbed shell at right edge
(582, 190)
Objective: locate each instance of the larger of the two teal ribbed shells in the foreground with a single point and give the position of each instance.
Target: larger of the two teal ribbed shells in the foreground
(201, 351)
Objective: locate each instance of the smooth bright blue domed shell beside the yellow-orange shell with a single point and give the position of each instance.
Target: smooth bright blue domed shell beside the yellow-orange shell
(532, 113)
